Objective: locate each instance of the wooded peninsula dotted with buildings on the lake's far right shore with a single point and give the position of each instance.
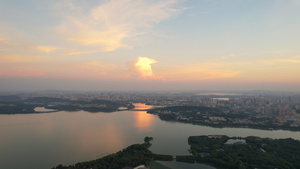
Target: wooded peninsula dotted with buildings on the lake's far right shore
(218, 117)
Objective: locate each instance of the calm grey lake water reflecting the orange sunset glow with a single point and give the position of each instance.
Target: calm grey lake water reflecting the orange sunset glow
(42, 141)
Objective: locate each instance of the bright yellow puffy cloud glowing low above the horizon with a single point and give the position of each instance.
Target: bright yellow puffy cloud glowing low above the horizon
(143, 66)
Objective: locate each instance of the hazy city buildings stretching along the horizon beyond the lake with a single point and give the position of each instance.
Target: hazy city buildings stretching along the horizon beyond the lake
(279, 109)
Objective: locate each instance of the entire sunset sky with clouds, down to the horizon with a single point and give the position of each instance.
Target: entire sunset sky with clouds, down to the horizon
(142, 45)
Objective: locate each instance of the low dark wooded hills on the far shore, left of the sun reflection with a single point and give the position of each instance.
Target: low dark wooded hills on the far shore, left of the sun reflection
(18, 105)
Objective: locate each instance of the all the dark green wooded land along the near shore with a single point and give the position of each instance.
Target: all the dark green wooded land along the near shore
(220, 151)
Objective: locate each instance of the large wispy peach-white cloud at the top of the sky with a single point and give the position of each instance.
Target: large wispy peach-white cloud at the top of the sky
(107, 25)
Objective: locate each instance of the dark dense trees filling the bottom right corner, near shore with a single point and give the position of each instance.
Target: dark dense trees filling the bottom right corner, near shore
(256, 153)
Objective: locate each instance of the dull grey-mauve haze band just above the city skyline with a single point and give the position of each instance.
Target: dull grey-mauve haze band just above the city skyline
(15, 84)
